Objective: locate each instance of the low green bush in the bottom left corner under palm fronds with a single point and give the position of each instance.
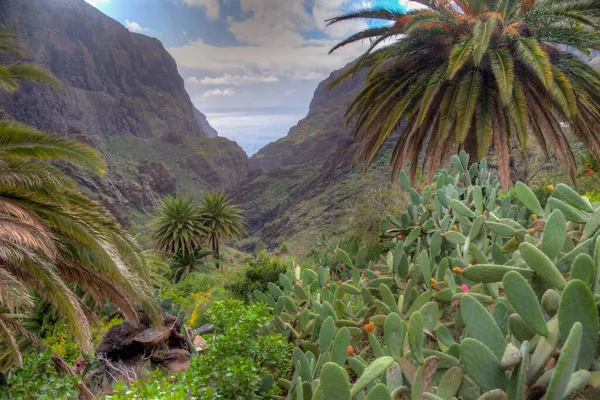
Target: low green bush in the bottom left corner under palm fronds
(39, 379)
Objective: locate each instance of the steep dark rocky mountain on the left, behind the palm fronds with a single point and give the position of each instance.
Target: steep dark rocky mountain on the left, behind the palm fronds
(121, 93)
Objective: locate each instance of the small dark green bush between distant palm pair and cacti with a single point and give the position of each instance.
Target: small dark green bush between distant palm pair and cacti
(259, 273)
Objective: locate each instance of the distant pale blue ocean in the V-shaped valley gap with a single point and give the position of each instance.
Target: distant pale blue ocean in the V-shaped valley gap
(254, 129)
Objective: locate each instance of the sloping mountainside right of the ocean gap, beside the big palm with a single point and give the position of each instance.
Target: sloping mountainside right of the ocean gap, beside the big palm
(304, 183)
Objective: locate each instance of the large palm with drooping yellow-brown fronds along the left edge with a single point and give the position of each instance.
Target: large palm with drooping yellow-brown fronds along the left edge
(53, 238)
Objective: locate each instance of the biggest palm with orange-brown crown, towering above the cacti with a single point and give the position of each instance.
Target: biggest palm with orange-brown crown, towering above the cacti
(476, 73)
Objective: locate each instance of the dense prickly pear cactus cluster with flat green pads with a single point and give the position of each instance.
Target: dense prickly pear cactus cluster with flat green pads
(475, 297)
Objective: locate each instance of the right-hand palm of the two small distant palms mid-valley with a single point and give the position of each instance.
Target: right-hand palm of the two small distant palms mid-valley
(223, 219)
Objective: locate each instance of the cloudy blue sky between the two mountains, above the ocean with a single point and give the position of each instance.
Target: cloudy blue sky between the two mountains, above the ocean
(246, 54)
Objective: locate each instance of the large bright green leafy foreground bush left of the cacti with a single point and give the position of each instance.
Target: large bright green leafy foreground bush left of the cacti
(242, 351)
